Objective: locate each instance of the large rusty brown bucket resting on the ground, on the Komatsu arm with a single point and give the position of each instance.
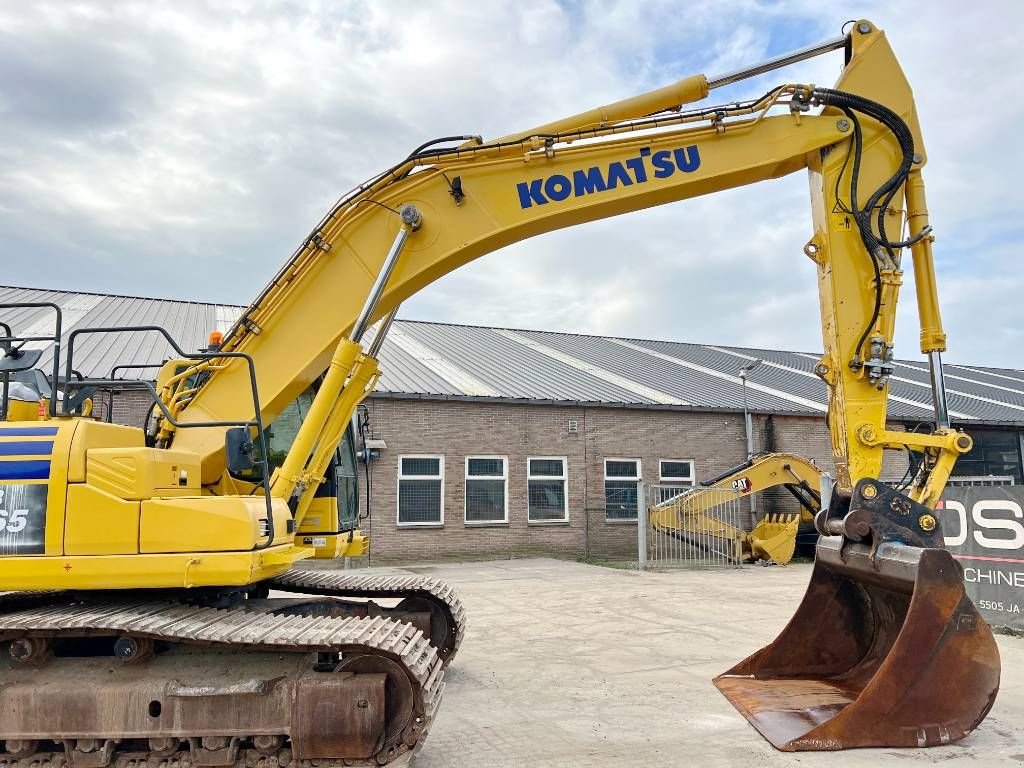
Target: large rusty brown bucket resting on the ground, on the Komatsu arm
(886, 650)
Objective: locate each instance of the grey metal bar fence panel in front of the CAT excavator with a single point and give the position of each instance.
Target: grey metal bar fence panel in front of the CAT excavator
(688, 528)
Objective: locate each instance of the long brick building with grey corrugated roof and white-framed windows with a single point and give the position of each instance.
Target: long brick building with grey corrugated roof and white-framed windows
(498, 443)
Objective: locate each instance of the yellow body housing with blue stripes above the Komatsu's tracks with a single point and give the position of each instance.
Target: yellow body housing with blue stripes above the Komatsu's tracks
(93, 508)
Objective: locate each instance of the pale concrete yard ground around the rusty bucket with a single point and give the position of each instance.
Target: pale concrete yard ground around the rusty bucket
(570, 665)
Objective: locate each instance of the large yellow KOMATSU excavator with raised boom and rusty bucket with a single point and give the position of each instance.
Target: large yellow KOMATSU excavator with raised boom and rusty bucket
(140, 625)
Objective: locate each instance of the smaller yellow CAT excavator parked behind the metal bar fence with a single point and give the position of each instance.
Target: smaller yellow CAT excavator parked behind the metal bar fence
(695, 518)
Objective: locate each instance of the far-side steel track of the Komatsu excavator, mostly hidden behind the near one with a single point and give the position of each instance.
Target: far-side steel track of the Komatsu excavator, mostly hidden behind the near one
(433, 606)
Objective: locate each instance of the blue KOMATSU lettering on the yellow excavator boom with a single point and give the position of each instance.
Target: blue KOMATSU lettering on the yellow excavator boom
(559, 187)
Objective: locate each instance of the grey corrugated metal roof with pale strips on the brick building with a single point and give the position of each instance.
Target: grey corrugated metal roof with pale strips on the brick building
(438, 360)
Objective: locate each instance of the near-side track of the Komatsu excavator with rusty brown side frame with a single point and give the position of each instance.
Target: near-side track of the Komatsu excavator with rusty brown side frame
(162, 685)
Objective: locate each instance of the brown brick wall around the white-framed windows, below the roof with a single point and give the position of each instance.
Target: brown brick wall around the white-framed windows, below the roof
(457, 430)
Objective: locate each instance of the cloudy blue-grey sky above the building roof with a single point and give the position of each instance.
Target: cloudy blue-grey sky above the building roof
(183, 150)
